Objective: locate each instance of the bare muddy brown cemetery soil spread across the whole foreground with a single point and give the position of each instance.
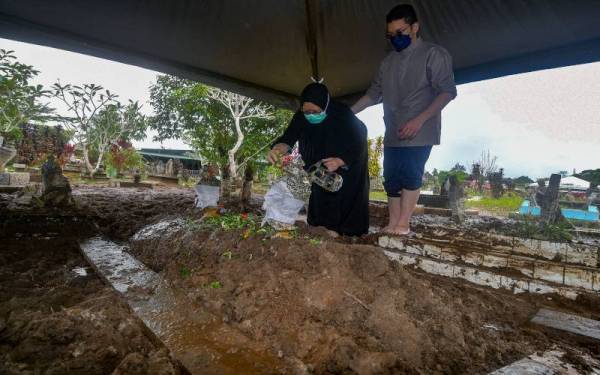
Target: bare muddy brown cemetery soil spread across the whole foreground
(271, 302)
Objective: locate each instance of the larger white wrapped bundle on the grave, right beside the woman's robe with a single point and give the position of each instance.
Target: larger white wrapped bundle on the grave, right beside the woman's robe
(280, 205)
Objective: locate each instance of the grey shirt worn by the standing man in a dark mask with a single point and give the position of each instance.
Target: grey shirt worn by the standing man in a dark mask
(407, 83)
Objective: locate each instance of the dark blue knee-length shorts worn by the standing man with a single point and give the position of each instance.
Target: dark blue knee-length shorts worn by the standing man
(403, 168)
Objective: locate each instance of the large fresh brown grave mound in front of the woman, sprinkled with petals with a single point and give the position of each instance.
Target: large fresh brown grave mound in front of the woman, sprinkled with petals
(342, 308)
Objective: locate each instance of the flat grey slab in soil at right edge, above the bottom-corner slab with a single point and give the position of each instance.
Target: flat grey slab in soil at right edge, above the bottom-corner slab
(568, 322)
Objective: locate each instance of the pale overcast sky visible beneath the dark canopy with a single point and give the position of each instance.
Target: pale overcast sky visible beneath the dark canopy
(535, 123)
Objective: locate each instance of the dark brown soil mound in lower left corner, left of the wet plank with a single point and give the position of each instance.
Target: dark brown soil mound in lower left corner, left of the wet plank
(57, 317)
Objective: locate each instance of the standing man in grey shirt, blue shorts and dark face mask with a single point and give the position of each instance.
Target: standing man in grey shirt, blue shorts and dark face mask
(415, 82)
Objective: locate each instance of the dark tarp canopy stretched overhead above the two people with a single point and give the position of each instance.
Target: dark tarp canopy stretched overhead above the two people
(269, 48)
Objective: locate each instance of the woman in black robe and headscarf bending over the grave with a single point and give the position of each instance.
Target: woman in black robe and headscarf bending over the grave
(328, 130)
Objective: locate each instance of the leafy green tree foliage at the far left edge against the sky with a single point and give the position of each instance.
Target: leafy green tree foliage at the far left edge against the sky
(19, 100)
